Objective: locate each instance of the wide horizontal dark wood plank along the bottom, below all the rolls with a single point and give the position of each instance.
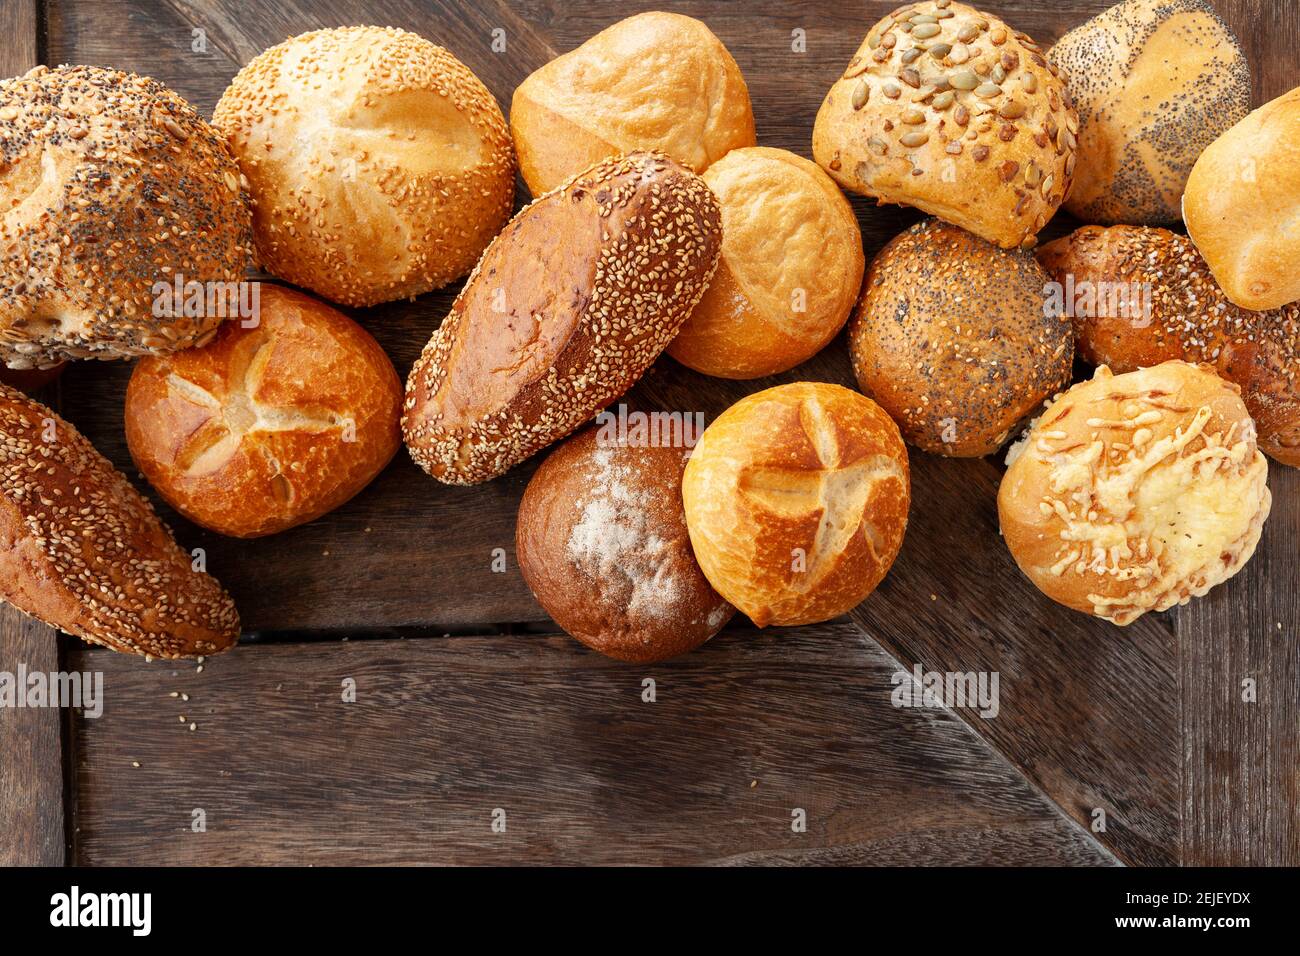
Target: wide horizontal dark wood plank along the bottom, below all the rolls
(445, 732)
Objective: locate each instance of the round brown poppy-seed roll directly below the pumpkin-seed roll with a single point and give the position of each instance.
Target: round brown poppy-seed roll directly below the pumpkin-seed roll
(952, 340)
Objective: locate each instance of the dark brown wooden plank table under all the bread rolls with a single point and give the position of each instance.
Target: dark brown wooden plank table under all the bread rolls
(471, 708)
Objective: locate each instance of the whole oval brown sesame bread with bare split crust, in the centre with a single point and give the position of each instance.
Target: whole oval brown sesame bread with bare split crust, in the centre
(566, 310)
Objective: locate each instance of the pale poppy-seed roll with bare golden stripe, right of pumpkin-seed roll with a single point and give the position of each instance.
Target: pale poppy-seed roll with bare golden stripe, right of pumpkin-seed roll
(1155, 83)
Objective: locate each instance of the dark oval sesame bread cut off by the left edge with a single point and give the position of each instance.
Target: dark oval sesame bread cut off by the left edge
(83, 551)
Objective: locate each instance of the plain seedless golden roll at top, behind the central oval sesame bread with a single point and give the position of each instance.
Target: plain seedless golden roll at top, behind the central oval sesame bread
(657, 81)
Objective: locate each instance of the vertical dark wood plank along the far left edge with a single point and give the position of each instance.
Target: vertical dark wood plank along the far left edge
(32, 772)
